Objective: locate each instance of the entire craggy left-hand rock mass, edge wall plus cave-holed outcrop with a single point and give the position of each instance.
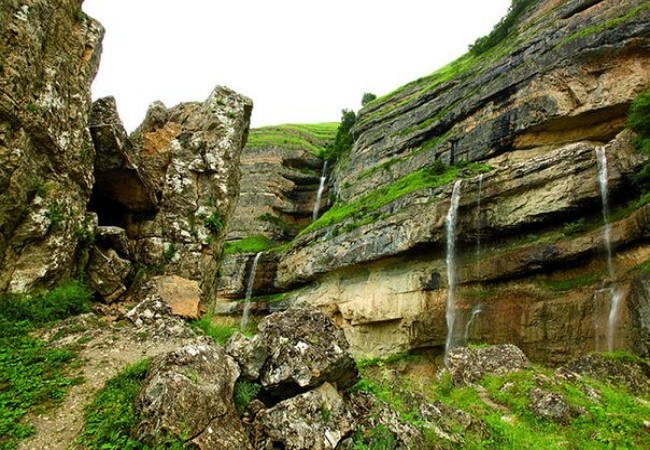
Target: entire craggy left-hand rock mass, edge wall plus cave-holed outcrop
(79, 196)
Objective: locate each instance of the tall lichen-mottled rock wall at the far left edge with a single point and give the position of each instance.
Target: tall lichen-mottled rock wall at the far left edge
(49, 54)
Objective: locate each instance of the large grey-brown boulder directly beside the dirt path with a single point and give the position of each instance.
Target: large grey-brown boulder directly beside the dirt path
(188, 393)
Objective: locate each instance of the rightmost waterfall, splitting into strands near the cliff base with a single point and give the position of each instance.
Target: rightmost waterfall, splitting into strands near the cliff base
(614, 295)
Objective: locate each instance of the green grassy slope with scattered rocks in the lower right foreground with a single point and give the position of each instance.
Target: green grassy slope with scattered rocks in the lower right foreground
(614, 421)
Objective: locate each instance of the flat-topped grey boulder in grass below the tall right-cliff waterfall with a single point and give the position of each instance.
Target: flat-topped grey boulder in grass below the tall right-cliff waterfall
(468, 365)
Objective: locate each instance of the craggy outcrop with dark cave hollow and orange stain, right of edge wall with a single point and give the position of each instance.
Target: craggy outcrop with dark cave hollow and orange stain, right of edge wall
(171, 187)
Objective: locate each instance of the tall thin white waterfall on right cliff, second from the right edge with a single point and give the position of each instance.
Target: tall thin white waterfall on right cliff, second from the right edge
(450, 222)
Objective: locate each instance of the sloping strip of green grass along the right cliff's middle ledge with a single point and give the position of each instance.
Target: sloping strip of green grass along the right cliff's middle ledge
(362, 208)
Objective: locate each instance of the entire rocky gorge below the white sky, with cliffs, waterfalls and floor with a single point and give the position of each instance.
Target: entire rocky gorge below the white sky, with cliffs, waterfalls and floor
(485, 218)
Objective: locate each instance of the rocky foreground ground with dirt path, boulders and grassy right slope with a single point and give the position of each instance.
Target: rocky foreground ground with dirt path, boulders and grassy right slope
(312, 395)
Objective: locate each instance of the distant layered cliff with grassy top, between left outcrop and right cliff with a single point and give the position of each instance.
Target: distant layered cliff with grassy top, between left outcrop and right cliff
(281, 173)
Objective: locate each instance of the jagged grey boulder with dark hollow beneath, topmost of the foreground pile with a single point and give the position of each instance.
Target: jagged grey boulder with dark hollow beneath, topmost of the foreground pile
(294, 351)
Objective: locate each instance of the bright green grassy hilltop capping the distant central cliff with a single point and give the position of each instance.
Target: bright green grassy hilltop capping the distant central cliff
(313, 138)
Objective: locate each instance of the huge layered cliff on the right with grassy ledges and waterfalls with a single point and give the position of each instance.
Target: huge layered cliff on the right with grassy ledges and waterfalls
(516, 128)
